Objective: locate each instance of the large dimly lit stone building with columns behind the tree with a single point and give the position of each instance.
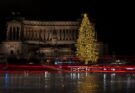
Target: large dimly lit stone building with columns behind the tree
(49, 38)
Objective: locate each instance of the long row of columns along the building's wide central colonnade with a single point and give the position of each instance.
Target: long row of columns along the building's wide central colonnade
(70, 34)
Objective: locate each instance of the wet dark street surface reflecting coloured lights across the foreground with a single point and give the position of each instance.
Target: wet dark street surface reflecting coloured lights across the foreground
(46, 82)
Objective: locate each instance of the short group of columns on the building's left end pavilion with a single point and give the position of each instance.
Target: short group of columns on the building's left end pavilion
(13, 33)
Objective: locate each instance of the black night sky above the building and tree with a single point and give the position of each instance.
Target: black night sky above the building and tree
(113, 19)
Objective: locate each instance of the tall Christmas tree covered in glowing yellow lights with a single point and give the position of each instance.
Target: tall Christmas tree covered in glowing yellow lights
(86, 43)
